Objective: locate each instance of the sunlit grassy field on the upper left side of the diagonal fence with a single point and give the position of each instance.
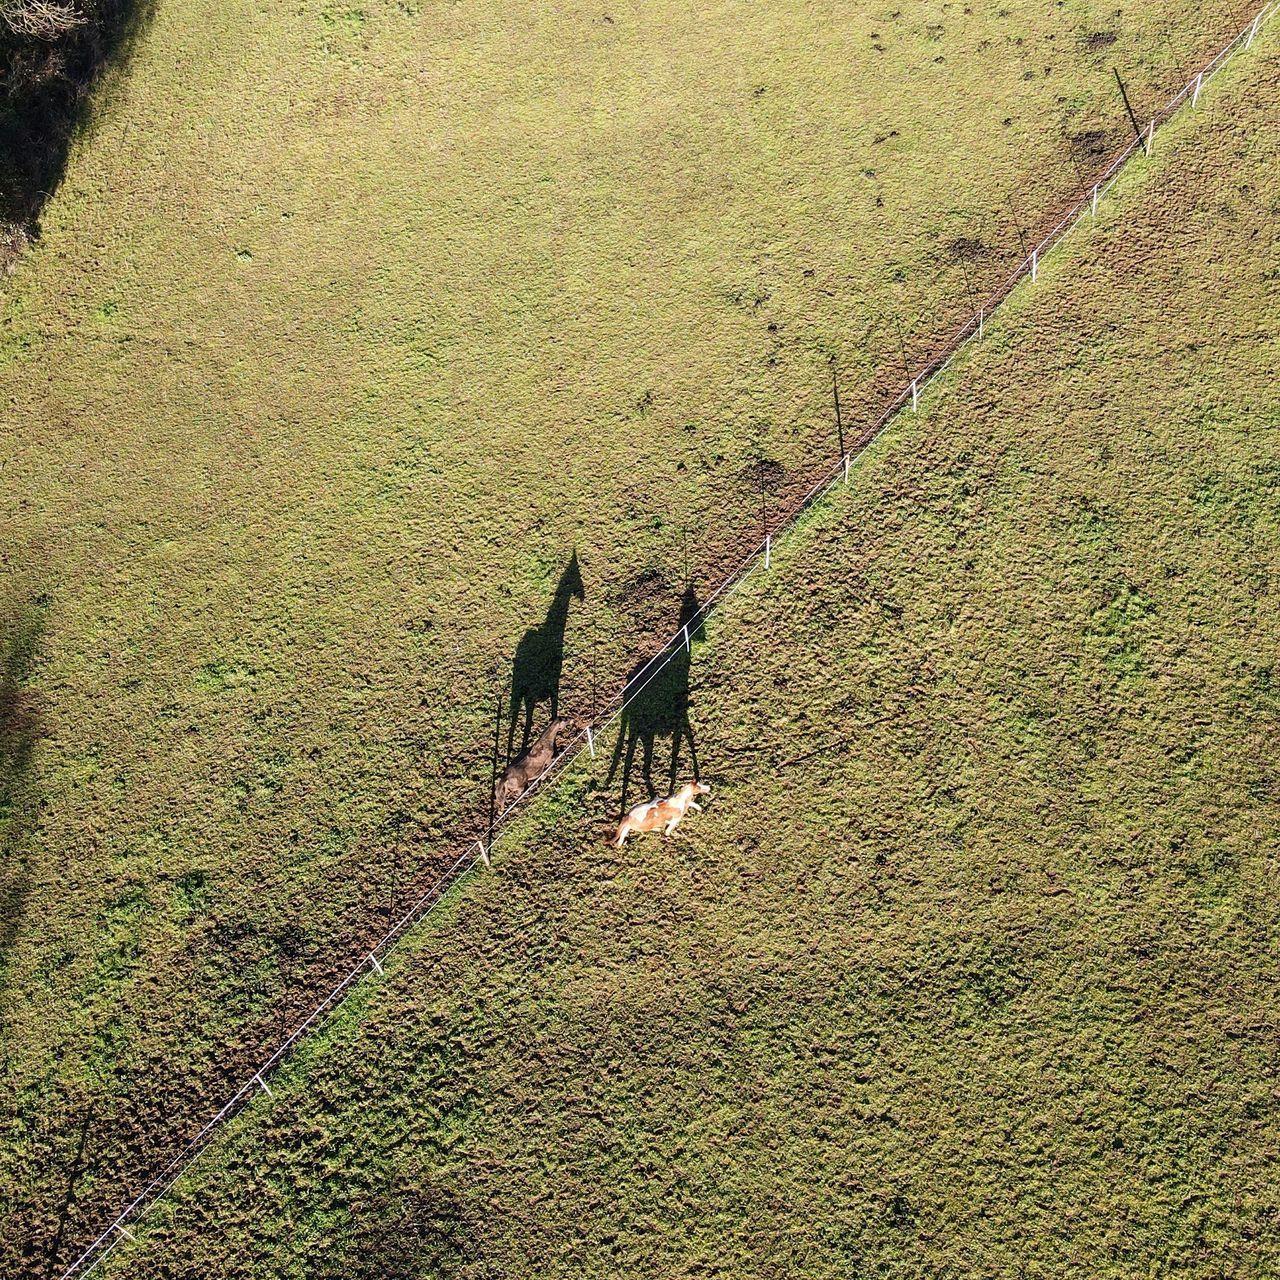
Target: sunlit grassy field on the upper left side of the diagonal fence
(348, 326)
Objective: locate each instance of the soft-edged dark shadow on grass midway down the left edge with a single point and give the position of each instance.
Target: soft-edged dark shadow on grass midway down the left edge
(20, 728)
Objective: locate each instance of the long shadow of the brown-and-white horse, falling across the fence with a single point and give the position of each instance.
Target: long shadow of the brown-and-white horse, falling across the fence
(656, 706)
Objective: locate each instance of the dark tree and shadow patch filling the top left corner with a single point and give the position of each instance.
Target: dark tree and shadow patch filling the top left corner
(52, 54)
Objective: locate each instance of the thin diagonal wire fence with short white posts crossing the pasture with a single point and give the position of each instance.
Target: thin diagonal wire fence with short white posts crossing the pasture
(757, 559)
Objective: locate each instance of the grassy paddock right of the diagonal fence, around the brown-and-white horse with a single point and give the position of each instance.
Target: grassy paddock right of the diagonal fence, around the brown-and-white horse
(972, 966)
